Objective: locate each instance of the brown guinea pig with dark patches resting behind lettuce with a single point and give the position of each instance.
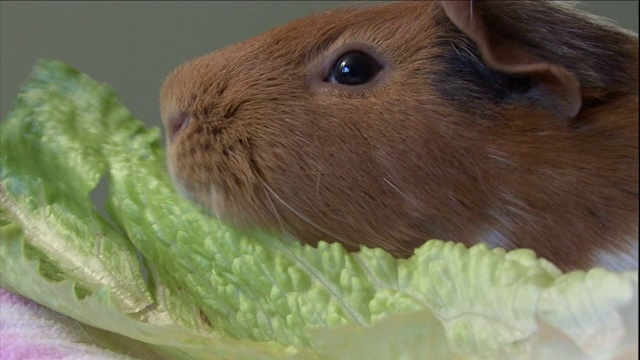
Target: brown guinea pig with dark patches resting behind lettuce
(510, 123)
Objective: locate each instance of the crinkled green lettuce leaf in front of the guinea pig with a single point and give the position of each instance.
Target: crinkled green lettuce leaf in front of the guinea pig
(157, 270)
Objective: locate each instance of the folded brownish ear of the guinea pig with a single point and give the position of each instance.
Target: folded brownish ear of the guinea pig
(553, 86)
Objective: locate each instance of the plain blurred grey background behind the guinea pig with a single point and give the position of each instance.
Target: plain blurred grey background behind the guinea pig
(133, 45)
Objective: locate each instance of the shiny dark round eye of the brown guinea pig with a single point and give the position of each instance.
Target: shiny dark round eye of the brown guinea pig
(354, 68)
